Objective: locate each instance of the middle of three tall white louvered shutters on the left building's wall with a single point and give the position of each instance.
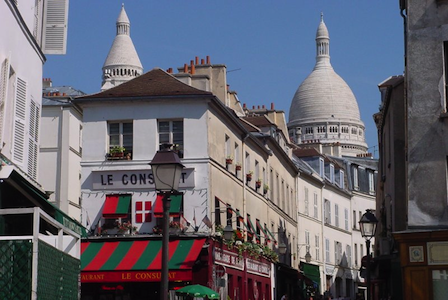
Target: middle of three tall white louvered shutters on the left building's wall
(19, 121)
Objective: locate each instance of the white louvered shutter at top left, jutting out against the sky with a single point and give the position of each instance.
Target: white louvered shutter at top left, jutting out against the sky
(55, 27)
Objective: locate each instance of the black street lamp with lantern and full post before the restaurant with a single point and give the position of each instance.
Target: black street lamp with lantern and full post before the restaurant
(166, 170)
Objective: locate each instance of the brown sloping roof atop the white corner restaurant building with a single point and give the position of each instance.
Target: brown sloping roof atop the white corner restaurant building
(155, 83)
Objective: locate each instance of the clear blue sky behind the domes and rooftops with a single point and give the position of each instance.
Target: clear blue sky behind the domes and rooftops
(268, 45)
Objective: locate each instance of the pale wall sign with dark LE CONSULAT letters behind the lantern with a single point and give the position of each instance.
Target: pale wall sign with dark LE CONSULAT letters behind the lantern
(134, 179)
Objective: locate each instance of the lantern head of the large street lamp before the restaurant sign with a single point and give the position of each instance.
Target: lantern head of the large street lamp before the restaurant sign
(167, 170)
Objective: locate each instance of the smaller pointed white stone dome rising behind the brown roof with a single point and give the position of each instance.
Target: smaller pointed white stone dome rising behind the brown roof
(122, 62)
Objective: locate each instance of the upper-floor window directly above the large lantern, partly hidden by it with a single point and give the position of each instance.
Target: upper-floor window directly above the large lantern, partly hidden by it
(172, 132)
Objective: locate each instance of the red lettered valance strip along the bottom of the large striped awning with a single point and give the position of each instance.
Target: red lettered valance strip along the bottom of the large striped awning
(134, 276)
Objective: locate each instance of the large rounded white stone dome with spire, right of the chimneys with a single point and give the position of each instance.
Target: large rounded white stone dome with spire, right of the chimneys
(324, 109)
